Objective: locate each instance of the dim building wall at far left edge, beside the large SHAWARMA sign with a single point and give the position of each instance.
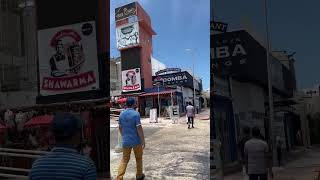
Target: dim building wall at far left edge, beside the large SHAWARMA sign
(18, 54)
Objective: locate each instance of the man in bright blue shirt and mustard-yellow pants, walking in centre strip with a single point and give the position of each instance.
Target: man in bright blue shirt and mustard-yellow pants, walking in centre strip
(132, 138)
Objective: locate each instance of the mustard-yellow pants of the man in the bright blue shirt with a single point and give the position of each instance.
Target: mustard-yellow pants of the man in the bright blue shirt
(138, 151)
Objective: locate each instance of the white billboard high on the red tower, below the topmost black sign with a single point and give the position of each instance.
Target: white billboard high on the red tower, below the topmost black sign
(127, 35)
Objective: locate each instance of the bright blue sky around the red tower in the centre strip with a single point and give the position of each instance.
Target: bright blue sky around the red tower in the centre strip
(180, 25)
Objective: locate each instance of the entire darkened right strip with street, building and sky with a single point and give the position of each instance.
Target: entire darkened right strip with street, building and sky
(264, 91)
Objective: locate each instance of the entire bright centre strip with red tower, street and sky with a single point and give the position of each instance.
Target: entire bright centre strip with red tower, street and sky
(159, 77)
